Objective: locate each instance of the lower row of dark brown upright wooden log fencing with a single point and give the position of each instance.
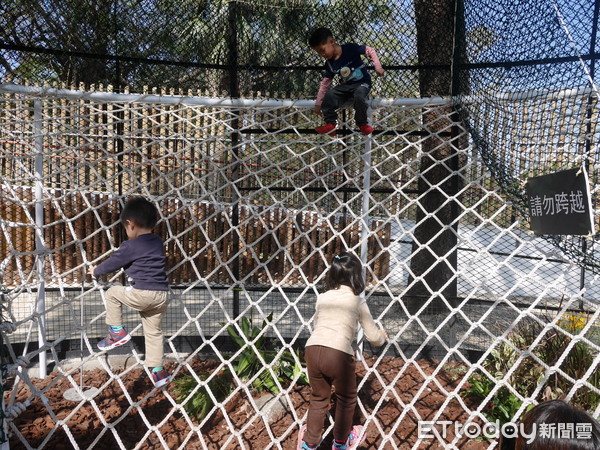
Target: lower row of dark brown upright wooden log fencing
(275, 245)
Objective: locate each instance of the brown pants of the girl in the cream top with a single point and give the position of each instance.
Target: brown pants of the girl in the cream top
(326, 367)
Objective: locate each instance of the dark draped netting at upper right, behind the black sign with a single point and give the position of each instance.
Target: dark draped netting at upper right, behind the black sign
(558, 129)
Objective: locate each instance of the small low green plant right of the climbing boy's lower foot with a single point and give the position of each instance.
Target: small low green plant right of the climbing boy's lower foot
(200, 404)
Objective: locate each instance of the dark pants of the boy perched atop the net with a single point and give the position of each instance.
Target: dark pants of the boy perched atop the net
(337, 96)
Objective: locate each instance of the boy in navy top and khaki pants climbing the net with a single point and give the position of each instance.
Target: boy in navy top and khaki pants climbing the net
(143, 258)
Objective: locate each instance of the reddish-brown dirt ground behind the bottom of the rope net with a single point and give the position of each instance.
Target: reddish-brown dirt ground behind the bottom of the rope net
(88, 426)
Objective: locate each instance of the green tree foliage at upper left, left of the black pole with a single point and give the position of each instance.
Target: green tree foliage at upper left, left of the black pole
(104, 42)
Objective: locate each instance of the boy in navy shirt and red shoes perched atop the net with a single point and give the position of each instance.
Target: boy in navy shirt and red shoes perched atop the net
(355, 81)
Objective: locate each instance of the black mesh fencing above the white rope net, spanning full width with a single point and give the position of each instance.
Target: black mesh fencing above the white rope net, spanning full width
(428, 47)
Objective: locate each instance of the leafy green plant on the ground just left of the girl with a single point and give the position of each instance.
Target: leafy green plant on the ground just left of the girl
(256, 348)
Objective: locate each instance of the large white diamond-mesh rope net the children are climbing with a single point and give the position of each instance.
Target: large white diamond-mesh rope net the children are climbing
(253, 206)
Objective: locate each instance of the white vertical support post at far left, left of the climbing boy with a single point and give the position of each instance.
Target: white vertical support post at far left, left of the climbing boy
(40, 248)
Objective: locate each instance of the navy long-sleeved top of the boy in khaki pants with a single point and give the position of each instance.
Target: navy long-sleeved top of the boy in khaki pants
(143, 259)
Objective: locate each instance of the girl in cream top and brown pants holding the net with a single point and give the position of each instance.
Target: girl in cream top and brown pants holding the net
(330, 356)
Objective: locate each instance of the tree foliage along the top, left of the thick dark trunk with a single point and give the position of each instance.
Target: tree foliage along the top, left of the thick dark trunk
(197, 44)
